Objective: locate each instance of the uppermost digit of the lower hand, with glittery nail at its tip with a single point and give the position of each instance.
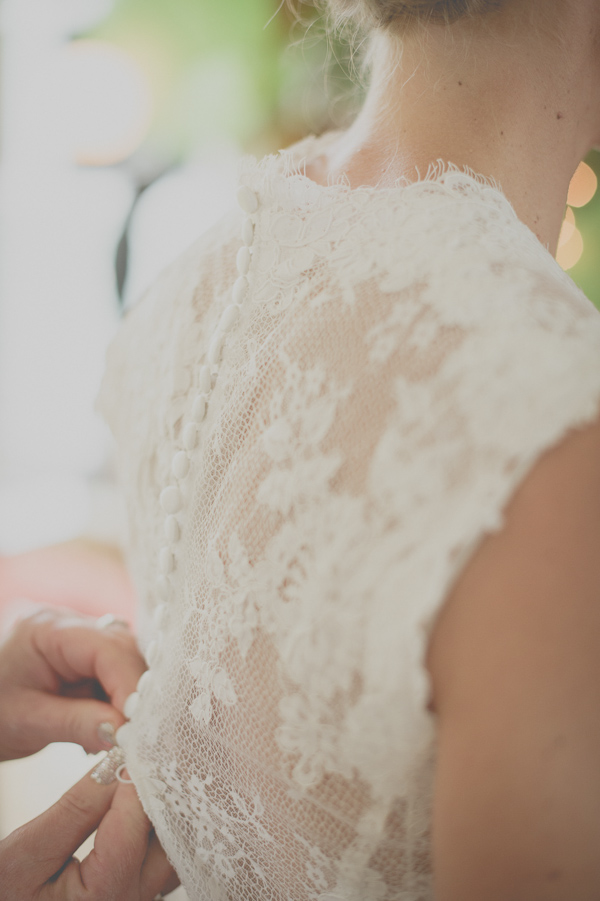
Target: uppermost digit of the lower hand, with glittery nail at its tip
(41, 848)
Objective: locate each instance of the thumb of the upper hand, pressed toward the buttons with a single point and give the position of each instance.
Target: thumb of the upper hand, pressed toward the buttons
(76, 720)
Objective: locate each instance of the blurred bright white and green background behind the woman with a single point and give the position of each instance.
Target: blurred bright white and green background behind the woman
(121, 126)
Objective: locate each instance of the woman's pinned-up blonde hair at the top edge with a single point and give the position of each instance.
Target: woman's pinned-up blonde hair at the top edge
(399, 14)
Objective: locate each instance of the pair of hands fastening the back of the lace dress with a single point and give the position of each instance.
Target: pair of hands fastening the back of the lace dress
(60, 678)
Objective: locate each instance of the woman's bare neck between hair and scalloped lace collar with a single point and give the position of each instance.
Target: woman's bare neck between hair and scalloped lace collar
(524, 110)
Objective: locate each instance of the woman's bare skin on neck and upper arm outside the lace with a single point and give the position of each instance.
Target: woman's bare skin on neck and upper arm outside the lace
(514, 656)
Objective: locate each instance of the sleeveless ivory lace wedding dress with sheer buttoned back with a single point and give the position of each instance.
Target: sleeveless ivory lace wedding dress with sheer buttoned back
(320, 410)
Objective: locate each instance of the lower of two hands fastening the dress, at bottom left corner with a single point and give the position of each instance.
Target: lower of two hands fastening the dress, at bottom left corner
(126, 864)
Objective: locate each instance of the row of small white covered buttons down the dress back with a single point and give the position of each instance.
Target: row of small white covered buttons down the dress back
(171, 498)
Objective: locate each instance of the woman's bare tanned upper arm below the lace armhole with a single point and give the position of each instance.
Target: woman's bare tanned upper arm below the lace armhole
(515, 667)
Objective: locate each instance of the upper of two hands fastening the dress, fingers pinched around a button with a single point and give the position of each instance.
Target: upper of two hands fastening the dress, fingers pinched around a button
(60, 679)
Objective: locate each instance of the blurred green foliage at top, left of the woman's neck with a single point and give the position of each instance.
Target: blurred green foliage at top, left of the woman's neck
(225, 68)
